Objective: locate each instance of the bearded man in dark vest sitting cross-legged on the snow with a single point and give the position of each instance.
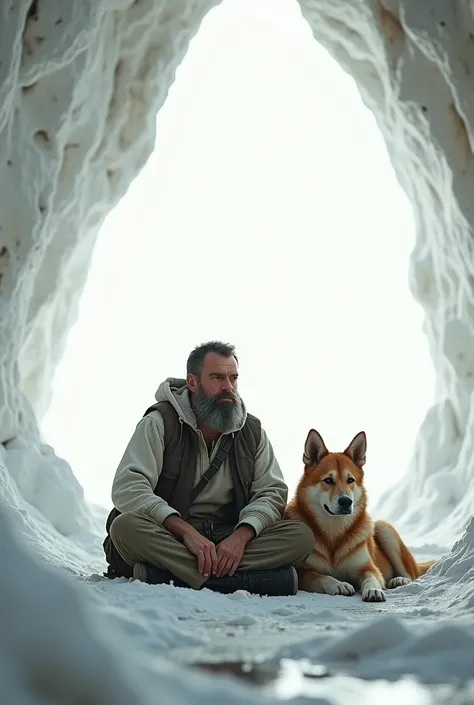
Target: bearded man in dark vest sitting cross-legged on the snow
(199, 496)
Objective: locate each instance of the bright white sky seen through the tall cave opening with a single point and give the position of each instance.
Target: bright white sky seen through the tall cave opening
(268, 216)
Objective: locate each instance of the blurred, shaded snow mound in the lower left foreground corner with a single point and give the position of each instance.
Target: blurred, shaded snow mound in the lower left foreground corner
(47, 641)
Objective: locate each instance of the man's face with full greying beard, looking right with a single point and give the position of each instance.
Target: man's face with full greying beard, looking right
(216, 401)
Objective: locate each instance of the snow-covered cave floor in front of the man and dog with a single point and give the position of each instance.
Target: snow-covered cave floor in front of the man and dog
(123, 641)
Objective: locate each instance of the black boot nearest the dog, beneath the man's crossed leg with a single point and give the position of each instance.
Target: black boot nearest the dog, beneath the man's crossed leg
(278, 582)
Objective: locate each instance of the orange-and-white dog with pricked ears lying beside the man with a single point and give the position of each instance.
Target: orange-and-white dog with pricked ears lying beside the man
(351, 552)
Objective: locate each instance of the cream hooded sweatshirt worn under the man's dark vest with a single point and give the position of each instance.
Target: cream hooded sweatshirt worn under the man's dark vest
(140, 467)
